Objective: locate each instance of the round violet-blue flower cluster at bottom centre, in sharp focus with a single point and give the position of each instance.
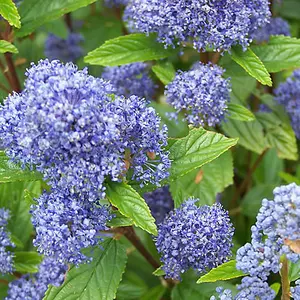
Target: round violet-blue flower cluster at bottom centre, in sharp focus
(194, 237)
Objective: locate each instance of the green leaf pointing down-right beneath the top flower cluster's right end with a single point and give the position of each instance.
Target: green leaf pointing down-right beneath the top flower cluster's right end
(252, 64)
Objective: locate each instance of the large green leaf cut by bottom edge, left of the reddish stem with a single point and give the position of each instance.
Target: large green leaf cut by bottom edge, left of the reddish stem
(96, 280)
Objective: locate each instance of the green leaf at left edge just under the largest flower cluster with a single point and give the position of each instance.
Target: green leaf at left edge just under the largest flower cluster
(11, 172)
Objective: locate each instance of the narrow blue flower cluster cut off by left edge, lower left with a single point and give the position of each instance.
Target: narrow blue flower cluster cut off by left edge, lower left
(6, 257)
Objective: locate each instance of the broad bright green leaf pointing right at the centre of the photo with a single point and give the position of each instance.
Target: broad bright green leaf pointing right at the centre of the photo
(195, 150)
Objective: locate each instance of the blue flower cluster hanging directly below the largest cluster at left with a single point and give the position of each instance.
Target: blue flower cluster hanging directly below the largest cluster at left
(65, 224)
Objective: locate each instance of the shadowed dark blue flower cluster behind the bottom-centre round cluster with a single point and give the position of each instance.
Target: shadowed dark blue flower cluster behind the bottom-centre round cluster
(160, 203)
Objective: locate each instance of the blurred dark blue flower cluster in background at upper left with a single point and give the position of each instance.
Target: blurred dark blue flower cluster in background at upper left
(67, 50)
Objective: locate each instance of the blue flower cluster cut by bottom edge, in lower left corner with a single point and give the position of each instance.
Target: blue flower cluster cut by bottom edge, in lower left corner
(34, 287)
